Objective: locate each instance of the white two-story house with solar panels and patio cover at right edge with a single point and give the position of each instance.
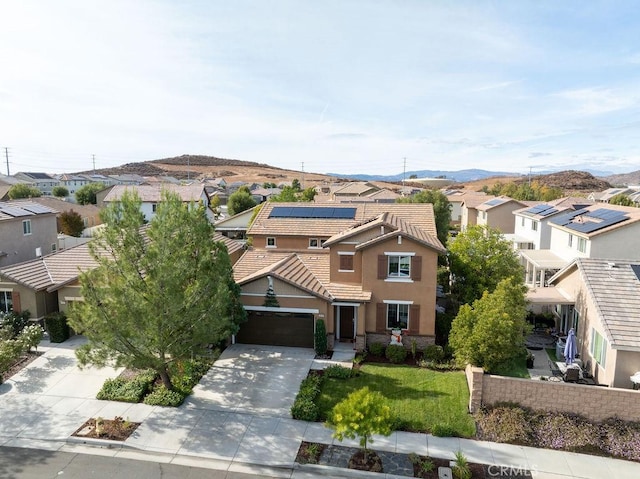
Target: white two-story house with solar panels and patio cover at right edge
(592, 232)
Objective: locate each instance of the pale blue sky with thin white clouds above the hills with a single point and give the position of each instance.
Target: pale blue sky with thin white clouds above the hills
(344, 86)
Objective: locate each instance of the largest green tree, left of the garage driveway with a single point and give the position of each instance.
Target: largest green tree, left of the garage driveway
(159, 293)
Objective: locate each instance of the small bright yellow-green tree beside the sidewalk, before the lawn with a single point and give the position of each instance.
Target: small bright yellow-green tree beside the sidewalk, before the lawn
(362, 414)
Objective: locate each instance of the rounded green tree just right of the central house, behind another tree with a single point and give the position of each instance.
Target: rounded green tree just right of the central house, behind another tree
(479, 259)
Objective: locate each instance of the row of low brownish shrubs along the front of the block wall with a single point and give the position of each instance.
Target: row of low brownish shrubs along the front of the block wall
(513, 424)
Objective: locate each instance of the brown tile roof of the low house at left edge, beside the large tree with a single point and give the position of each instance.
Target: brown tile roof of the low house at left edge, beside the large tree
(51, 271)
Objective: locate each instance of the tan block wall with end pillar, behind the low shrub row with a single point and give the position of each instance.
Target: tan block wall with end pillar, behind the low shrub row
(593, 402)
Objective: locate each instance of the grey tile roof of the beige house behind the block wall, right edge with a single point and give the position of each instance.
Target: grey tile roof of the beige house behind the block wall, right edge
(615, 289)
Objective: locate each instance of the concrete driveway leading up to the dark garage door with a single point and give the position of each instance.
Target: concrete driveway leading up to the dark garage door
(252, 379)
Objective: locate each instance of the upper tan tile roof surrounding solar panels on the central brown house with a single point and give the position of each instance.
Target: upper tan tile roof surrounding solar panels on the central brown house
(420, 215)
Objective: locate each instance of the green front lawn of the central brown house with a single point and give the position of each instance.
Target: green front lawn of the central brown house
(419, 398)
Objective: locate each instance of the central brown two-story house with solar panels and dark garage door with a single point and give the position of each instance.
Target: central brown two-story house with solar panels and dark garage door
(365, 269)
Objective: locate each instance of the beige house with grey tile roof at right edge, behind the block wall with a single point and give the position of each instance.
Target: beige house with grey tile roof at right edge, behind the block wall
(605, 314)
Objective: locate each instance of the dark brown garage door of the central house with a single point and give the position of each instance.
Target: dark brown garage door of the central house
(277, 329)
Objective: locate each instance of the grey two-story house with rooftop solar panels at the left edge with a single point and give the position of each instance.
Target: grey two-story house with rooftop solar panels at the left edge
(27, 230)
